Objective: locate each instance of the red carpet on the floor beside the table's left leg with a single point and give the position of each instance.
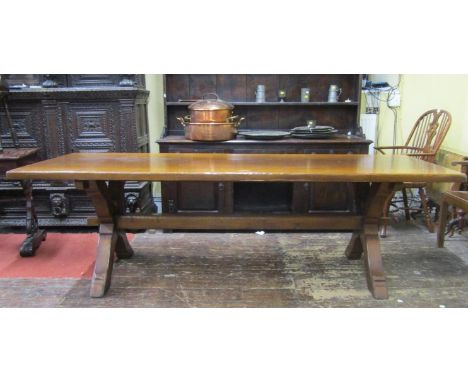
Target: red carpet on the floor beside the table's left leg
(60, 256)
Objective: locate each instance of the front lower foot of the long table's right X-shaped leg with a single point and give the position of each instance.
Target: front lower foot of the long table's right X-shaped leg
(375, 274)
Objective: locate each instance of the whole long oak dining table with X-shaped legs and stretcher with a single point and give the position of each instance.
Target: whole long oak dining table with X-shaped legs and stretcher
(103, 175)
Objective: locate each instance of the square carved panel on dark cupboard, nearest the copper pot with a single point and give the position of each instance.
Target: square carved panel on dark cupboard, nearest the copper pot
(92, 129)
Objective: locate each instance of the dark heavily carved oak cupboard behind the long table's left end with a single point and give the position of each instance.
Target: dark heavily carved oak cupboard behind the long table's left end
(61, 114)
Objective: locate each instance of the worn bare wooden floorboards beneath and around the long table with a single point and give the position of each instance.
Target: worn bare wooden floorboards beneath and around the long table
(271, 270)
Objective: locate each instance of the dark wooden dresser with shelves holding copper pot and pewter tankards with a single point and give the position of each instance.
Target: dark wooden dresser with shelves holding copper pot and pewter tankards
(239, 89)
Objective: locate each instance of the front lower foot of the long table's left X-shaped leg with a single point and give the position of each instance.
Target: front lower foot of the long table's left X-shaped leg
(100, 282)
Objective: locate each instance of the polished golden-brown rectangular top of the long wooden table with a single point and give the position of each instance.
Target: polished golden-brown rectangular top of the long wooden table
(237, 167)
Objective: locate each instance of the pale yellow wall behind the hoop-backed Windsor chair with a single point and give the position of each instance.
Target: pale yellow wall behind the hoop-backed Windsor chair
(420, 93)
